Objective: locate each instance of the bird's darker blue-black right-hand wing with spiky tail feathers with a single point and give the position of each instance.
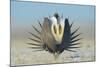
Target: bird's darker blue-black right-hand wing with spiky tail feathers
(69, 39)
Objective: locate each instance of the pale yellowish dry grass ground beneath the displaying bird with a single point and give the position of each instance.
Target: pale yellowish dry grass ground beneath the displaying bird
(22, 55)
